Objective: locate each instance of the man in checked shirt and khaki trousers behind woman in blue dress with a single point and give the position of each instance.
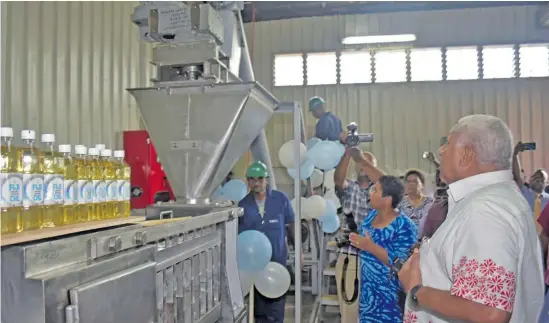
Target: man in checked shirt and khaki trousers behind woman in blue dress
(355, 200)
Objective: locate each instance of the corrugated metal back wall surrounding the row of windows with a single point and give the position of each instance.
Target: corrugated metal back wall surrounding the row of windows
(410, 118)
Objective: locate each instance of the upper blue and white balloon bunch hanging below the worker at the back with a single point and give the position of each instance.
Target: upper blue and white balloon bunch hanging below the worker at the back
(318, 160)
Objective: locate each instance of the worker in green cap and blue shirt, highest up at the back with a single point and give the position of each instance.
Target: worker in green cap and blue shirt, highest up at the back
(328, 126)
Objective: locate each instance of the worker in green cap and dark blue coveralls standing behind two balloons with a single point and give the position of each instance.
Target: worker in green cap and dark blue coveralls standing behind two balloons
(268, 211)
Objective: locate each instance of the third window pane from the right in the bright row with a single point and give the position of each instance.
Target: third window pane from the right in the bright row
(461, 63)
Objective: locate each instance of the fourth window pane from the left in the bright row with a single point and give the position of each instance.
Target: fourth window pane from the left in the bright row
(390, 66)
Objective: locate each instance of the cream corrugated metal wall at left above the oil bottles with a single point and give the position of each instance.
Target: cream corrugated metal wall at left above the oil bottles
(65, 68)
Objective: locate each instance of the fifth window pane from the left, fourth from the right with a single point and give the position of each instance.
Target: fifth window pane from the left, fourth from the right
(426, 64)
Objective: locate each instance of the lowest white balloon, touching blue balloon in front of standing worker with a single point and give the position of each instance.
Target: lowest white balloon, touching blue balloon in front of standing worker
(273, 281)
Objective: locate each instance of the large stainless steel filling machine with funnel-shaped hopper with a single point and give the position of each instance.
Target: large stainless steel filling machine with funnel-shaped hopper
(204, 111)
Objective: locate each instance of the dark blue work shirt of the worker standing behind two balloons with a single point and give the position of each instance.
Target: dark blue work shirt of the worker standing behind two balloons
(277, 214)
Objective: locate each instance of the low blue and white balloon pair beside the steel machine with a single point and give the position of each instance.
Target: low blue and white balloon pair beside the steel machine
(254, 252)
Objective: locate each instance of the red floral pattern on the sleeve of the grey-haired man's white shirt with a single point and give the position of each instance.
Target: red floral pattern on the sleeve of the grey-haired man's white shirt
(484, 282)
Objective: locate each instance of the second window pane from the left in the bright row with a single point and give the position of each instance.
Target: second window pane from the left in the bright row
(321, 68)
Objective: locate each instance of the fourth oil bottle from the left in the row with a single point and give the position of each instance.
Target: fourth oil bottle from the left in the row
(70, 184)
